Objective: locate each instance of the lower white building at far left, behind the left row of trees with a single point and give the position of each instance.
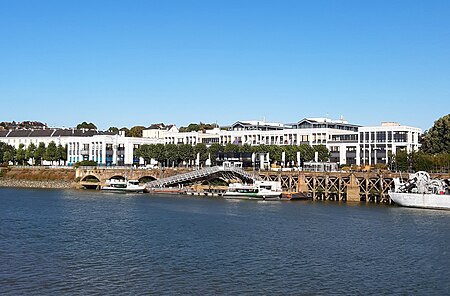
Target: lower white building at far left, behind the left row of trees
(105, 148)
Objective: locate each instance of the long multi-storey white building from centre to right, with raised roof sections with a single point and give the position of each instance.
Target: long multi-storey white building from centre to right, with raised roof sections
(348, 143)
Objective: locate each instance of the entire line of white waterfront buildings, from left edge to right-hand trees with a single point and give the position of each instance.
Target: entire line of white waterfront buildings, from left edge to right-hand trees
(348, 143)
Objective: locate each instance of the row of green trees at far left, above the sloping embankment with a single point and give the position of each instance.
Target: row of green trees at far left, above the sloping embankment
(22, 155)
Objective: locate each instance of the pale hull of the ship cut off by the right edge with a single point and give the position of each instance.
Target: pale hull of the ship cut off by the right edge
(418, 200)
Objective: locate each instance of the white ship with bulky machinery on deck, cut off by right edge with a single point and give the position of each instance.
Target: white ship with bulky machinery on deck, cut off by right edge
(420, 191)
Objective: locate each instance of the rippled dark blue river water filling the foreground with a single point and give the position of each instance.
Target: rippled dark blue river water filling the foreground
(55, 242)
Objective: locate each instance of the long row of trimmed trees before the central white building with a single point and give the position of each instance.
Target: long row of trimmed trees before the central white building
(173, 155)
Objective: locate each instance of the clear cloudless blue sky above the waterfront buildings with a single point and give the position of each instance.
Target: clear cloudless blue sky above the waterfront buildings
(126, 63)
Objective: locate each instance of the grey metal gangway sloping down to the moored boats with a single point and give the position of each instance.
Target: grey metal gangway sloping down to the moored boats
(205, 173)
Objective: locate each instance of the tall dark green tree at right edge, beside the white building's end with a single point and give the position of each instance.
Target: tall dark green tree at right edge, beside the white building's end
(437, 139)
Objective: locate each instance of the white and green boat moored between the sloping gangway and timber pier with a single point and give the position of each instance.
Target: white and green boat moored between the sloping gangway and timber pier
(260, 190)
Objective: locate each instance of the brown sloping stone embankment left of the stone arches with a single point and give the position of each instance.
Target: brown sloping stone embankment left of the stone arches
(38, 178)
